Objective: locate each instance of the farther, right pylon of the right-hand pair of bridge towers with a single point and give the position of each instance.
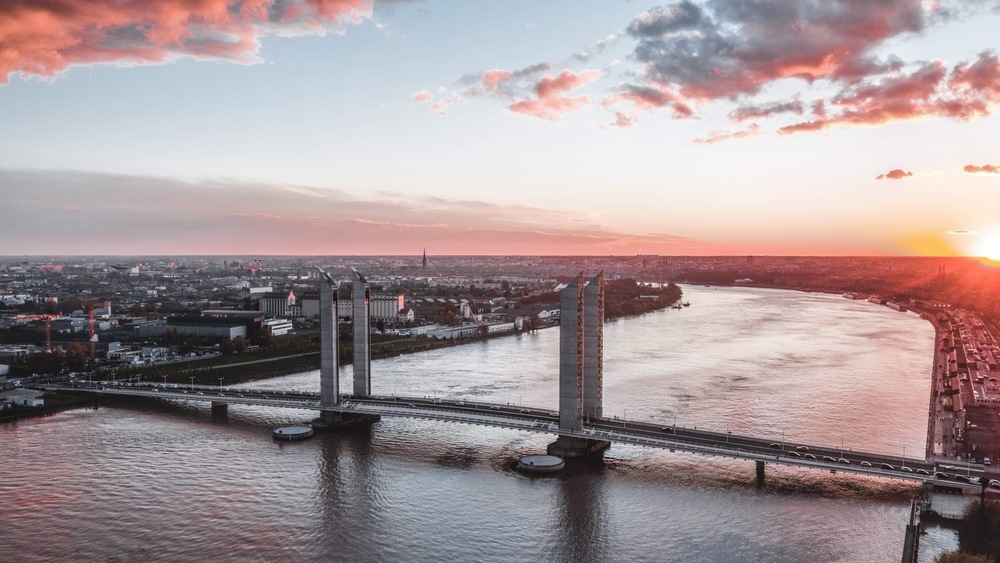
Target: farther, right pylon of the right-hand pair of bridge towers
(593, 348)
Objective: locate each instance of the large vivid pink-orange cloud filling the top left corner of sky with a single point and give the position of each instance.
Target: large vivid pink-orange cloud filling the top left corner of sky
(45, 37)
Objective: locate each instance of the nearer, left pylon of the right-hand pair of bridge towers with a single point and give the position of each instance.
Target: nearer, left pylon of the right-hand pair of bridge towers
(571, 355)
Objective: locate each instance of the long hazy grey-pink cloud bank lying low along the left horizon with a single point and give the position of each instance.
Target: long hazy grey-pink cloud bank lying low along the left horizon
(147, 215)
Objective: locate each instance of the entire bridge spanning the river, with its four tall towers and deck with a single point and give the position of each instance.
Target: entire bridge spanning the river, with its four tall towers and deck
(579, 424)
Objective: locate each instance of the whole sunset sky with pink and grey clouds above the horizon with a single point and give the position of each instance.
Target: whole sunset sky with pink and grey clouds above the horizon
(591, 127)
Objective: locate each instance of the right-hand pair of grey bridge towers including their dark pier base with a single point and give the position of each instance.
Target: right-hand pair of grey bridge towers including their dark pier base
(574, 360)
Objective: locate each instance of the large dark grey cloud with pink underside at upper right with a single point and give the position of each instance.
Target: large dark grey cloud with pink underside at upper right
(729, 48)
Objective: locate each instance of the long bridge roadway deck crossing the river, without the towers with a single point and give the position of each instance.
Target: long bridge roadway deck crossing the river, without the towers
(531, 419)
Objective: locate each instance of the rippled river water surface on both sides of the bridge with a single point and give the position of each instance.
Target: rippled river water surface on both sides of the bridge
(168, 482)
